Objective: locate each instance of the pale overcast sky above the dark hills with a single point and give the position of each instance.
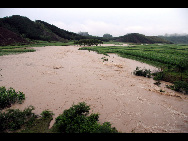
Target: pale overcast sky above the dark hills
(115, 21)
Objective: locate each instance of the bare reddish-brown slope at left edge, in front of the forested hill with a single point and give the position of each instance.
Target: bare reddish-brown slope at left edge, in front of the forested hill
(8, 37)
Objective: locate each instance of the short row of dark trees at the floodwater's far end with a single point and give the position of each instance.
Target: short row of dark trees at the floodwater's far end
(88, 42)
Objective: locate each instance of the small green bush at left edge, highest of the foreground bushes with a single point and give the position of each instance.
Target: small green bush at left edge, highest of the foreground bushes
(10, 96)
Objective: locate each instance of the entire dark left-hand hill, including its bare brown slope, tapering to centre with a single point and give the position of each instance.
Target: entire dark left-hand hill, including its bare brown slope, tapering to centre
(18, 29)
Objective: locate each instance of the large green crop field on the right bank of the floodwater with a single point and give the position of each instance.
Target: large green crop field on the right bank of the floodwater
(171, 58)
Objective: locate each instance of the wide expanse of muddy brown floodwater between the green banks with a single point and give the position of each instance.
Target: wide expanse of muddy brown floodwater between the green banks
(56, 77)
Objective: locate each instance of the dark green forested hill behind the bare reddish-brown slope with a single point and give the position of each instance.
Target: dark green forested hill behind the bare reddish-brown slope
(36, 30)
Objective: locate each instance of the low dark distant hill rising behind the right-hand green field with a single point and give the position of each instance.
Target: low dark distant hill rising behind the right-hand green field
(140, 38)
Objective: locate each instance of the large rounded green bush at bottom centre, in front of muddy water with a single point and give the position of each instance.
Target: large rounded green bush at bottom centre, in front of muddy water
(76, 120)
